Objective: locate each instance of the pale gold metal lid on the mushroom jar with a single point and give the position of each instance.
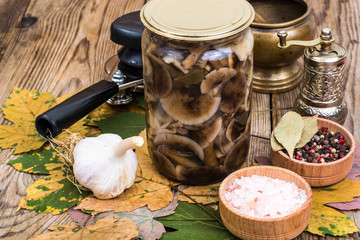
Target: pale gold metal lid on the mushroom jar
(197, 20)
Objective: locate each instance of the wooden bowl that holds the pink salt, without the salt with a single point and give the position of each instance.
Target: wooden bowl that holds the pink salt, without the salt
(246, 227)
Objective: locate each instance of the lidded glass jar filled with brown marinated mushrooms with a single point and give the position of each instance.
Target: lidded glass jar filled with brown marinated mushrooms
(198, 61)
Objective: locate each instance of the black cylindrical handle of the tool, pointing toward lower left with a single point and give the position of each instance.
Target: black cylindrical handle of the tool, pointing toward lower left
(65, 114)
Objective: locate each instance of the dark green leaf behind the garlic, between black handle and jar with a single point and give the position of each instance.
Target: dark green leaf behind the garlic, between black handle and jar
(125, 124)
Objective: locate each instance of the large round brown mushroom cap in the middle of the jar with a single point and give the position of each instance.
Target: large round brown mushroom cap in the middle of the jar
(187, 105)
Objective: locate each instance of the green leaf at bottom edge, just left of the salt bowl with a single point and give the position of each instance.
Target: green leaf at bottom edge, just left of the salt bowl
(192, 222)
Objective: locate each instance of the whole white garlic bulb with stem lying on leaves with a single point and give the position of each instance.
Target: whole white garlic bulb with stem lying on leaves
(106, 164)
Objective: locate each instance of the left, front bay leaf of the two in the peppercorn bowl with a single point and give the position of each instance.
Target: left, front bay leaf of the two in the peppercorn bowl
(288, 131)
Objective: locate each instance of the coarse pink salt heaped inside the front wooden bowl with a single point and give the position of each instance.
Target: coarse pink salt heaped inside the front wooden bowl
(264, 197)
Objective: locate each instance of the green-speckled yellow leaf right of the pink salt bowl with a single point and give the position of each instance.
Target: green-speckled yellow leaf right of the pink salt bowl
(325, 220)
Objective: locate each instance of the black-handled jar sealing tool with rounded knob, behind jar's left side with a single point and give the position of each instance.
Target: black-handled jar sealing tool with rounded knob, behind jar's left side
(125, 75)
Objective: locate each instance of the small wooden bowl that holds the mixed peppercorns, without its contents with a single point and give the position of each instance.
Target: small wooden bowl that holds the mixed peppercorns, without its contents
(320, 174)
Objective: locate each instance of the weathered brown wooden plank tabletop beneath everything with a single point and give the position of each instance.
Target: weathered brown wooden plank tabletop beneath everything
(61, 46)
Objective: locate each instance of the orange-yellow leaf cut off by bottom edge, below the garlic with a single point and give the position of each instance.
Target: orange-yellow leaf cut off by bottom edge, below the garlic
(106, 228)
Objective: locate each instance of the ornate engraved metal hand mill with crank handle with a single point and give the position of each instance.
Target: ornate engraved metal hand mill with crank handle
(322, 90)
